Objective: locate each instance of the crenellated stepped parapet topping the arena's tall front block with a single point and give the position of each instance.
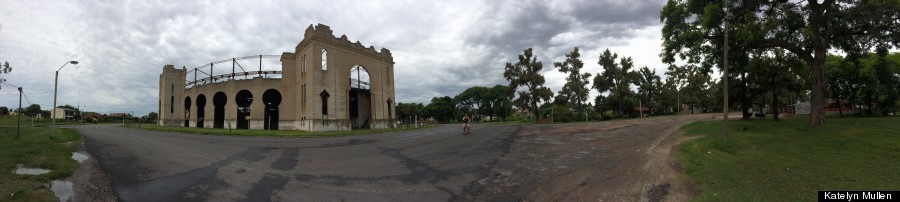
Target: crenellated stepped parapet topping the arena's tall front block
(322, 33)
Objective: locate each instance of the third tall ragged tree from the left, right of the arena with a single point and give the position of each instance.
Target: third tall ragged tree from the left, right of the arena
(616, 79)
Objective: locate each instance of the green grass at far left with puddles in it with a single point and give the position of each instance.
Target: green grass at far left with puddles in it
(35, 149)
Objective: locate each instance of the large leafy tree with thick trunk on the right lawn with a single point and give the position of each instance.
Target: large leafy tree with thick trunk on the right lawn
(694, 30)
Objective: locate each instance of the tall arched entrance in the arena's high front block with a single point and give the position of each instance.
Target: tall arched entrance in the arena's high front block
(360, 101)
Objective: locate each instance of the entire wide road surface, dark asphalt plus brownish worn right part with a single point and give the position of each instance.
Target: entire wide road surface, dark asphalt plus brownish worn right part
(496, 162)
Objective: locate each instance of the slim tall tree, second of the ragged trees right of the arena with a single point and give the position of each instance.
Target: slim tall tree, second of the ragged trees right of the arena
(575, 90)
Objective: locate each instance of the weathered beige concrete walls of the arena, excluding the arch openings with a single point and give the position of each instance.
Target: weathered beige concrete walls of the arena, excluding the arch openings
(303, 80)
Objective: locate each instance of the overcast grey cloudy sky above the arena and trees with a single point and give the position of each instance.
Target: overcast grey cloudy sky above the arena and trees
(121, 46)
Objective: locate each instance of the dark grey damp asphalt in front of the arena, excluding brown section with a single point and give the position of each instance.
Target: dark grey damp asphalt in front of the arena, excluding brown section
(431, 164)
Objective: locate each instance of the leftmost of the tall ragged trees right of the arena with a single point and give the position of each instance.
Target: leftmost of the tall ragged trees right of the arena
(527, 72)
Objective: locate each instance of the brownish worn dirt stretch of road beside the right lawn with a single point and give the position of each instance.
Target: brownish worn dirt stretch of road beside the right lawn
(627, 160)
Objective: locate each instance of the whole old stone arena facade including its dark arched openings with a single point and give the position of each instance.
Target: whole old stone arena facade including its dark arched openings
(314, 92)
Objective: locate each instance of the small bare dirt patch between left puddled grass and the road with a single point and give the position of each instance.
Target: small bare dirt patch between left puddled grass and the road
(90, 183)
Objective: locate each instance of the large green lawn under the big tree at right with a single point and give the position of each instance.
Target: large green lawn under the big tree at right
(789, 160)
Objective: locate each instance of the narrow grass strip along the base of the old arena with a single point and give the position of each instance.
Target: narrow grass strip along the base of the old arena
(268, 133)
